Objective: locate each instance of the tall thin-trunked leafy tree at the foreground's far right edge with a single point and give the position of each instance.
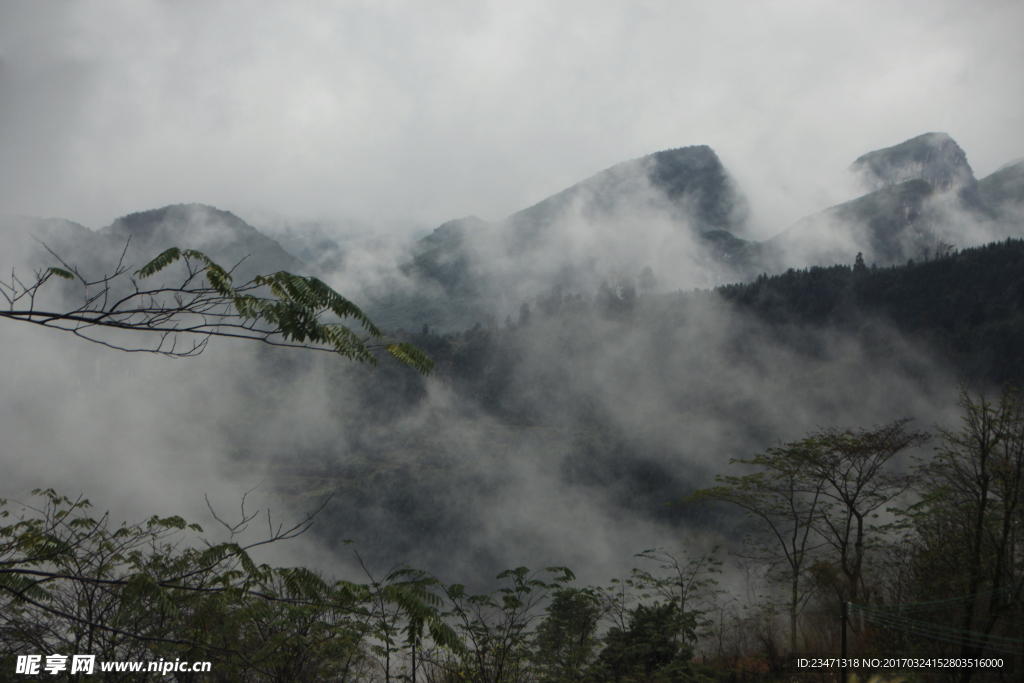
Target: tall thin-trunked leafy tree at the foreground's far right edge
(971, 521)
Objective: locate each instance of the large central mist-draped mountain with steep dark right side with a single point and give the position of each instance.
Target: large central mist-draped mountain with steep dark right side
(652, 211)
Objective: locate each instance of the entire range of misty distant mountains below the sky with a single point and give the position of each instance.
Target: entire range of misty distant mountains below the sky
(677, 211)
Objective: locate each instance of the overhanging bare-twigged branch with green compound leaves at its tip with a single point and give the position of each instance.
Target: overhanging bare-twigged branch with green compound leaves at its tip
(279, 310)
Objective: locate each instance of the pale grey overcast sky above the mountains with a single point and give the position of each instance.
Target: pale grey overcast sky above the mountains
(409, 114)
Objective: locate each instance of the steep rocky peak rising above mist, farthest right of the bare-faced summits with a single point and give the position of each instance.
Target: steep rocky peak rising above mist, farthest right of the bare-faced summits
(934, 158)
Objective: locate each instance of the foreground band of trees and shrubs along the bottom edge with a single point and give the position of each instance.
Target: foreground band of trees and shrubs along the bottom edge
(929, 559)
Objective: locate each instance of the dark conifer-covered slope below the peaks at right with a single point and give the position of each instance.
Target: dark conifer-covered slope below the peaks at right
(967, 306)
